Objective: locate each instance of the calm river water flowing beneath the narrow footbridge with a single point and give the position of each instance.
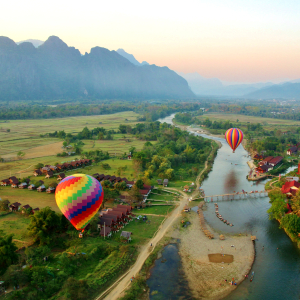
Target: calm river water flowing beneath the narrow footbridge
(277, 262)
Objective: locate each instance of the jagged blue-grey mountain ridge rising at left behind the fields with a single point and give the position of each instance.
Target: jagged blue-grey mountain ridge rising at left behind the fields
(54, 70)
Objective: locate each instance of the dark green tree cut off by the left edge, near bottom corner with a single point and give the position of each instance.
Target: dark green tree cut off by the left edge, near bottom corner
(7, 250)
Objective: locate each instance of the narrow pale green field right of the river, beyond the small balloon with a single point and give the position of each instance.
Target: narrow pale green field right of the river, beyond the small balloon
(269, 123)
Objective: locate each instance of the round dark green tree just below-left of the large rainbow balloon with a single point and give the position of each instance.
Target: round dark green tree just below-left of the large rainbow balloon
(43, 224)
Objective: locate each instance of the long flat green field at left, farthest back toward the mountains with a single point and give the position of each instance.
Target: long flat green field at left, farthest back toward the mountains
(25, 134)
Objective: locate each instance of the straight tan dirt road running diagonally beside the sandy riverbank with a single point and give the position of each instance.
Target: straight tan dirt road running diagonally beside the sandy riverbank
(114, 291)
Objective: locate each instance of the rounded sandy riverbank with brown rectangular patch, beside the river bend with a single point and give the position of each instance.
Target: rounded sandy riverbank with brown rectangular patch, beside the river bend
(207, 279)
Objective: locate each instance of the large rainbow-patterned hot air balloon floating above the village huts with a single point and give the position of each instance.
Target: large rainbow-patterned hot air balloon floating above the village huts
(79, 198)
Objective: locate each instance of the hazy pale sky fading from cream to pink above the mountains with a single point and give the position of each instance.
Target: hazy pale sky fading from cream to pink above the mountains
(234, 40)
